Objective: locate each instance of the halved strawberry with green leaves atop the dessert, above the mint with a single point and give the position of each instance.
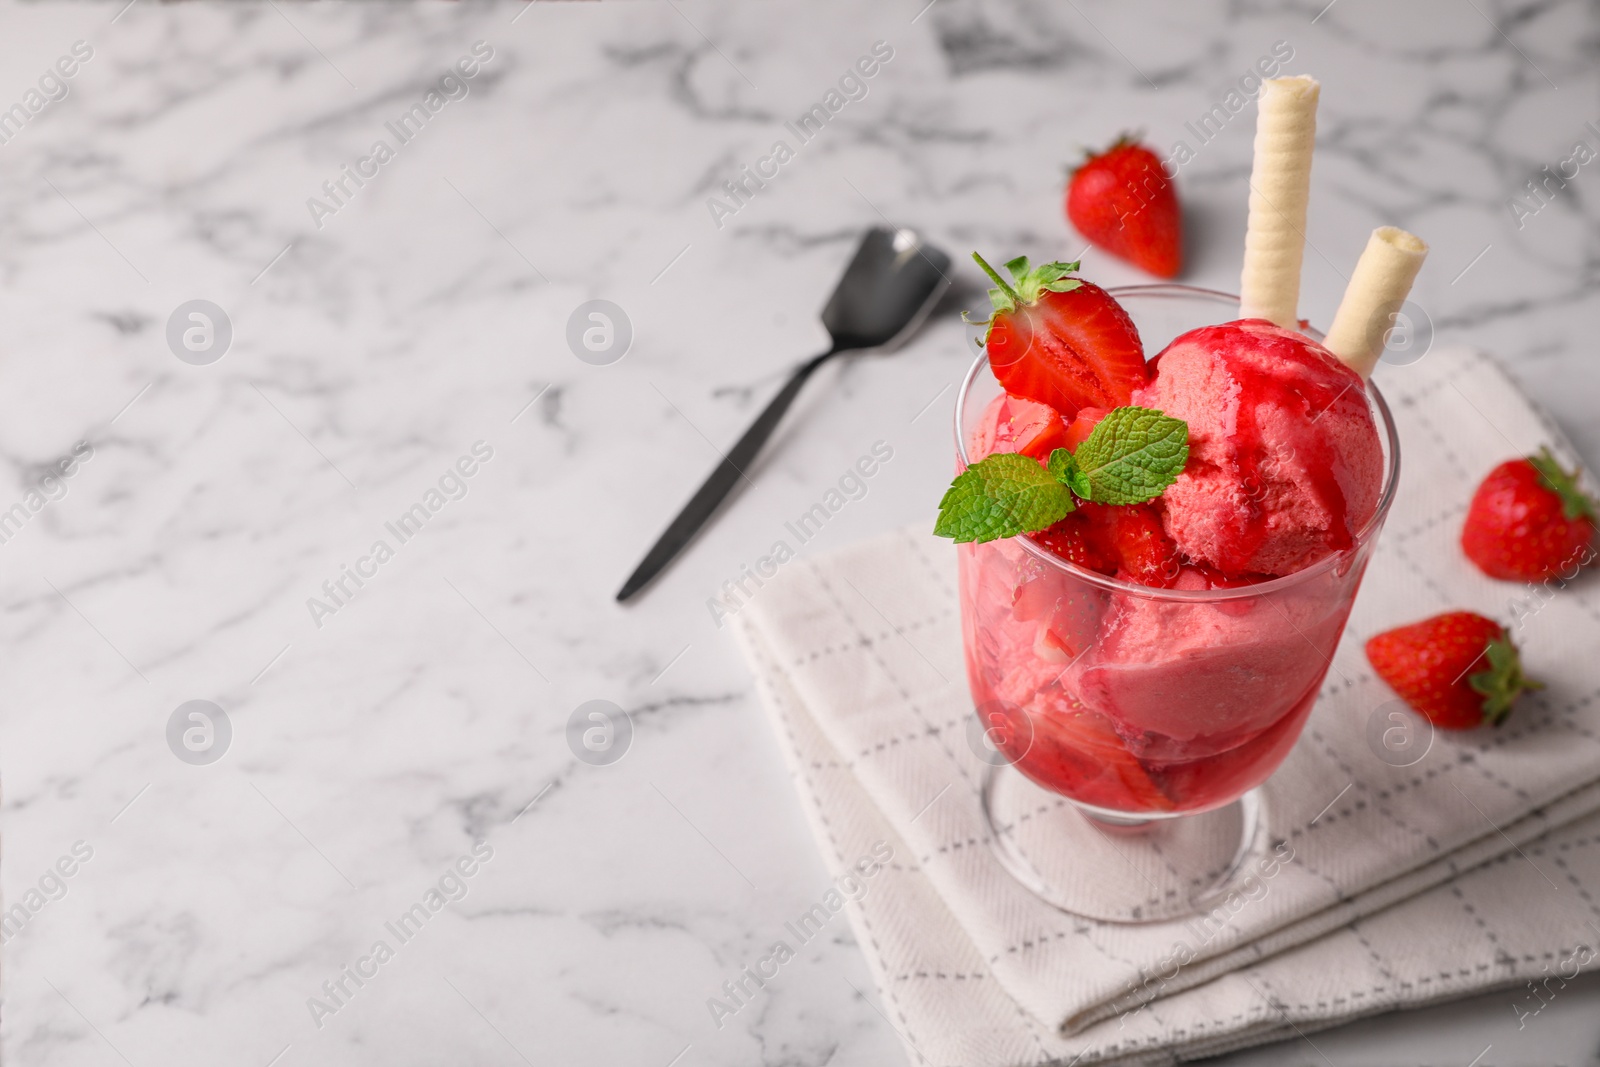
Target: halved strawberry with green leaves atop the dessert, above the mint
(1062, 342)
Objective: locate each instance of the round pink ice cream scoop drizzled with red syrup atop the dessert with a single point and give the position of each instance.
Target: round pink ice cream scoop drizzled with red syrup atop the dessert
(1284, 458)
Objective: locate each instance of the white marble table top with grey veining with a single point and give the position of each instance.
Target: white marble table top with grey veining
(375, 338)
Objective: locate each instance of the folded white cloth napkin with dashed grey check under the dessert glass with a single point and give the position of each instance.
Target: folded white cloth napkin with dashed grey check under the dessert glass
(860, 660)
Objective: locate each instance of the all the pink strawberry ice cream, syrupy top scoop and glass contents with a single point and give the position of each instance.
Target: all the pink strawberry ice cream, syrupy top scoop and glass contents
(1148, 695)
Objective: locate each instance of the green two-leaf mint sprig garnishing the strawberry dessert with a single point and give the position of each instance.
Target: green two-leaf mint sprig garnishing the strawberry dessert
(1130, 457)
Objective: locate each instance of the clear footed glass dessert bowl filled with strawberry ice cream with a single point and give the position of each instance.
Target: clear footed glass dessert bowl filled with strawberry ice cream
(1142, 705)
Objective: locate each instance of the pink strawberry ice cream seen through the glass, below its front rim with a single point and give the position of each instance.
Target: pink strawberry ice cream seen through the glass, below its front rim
(1143, 703)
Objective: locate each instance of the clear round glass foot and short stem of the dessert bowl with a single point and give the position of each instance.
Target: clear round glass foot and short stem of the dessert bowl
(1119, 869)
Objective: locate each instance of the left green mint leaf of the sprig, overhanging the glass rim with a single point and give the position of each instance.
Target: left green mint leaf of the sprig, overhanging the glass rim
(1001, 497)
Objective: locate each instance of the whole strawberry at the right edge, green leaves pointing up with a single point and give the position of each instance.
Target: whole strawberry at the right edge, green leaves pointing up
(1530, 521)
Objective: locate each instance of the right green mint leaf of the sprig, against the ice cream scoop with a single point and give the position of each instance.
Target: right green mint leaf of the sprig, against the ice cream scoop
(1130, 457)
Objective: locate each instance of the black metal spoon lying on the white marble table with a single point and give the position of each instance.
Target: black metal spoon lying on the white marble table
(886, 294)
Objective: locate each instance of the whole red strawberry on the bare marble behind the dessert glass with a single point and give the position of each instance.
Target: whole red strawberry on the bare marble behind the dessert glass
(1124, 202)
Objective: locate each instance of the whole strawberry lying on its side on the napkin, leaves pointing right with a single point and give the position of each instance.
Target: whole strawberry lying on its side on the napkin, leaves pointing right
(1457, 669)
